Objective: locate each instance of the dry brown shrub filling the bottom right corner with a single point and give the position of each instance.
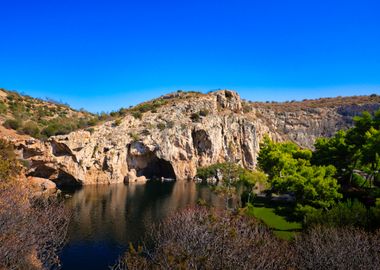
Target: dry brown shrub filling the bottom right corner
(337, 248)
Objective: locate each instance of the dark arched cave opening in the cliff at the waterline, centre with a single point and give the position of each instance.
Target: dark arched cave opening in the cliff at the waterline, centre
(156, 169)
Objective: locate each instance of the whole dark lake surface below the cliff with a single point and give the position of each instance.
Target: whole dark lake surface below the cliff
(106, 218)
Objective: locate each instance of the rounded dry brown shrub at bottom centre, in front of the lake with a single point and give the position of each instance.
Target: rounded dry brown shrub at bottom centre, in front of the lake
(200, 239)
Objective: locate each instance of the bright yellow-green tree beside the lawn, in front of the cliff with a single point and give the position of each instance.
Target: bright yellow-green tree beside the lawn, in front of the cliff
(290, 171)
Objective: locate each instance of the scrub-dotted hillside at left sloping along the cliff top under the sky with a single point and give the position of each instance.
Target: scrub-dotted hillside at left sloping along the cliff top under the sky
(44, 118)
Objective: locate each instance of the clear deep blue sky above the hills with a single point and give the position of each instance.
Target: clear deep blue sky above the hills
(102, 55)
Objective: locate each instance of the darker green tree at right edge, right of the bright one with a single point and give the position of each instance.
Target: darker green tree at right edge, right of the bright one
(356, 149)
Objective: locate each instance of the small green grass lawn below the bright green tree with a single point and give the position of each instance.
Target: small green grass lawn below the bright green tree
(280, 226)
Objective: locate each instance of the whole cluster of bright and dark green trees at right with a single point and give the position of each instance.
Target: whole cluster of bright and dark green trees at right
(347, 163)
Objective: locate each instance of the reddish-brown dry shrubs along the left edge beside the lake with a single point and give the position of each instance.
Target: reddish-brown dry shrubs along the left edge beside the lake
(32, 229)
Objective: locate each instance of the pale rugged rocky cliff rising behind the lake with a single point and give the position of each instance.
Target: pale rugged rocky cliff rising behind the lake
(188, 131)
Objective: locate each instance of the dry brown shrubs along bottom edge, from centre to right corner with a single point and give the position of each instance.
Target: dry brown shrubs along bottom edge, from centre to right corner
(203, 238)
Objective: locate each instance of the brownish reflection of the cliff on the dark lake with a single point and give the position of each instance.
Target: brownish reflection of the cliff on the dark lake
(121, 213)
